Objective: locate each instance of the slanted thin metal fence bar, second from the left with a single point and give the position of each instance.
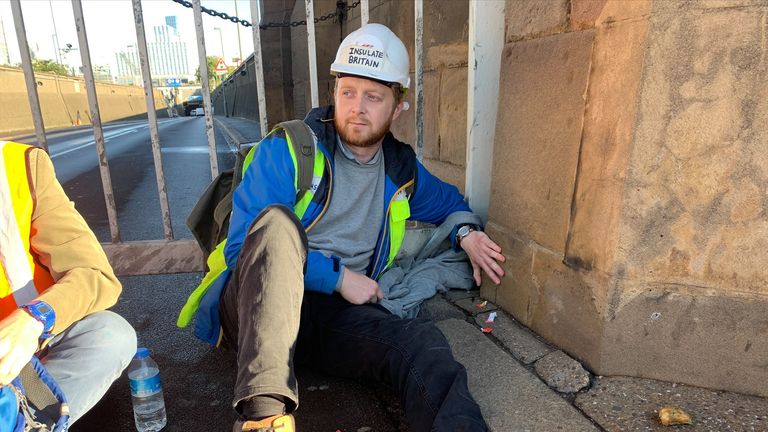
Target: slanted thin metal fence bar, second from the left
(98, 133)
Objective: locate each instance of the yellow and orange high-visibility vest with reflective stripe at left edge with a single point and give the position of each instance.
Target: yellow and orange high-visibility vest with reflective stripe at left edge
(22, 277)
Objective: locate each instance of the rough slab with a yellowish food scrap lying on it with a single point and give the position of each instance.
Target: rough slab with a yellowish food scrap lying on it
(632, 404)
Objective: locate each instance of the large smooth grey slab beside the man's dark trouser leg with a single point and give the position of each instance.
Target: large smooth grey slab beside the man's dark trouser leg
(511, 397)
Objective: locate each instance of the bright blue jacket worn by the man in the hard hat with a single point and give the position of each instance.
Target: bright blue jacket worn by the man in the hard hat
(270, 179)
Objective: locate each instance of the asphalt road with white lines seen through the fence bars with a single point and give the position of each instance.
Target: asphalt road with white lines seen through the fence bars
(186, 166)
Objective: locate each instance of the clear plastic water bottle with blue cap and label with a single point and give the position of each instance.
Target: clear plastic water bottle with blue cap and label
(146, 392)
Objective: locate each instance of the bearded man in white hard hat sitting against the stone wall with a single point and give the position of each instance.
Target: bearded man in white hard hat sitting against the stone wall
(302, 271)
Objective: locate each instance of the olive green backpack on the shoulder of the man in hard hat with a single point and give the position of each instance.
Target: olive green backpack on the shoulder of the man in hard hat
(209, 218)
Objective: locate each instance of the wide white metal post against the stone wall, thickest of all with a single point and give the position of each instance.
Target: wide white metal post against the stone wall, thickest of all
(486, 41)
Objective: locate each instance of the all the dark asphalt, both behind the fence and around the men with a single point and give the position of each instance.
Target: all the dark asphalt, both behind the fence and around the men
(197, 380)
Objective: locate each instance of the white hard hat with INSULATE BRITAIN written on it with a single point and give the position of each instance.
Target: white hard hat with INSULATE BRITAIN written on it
(373, 51)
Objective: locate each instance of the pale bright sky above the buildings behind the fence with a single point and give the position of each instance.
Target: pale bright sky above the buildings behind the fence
(110, 28)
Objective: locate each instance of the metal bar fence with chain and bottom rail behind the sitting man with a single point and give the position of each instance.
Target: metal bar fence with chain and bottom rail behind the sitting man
(171, 255)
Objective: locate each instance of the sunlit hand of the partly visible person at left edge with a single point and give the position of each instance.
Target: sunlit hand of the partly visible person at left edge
(19, 337)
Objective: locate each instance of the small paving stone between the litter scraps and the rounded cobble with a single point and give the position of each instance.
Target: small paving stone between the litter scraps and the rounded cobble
(521, 342)
